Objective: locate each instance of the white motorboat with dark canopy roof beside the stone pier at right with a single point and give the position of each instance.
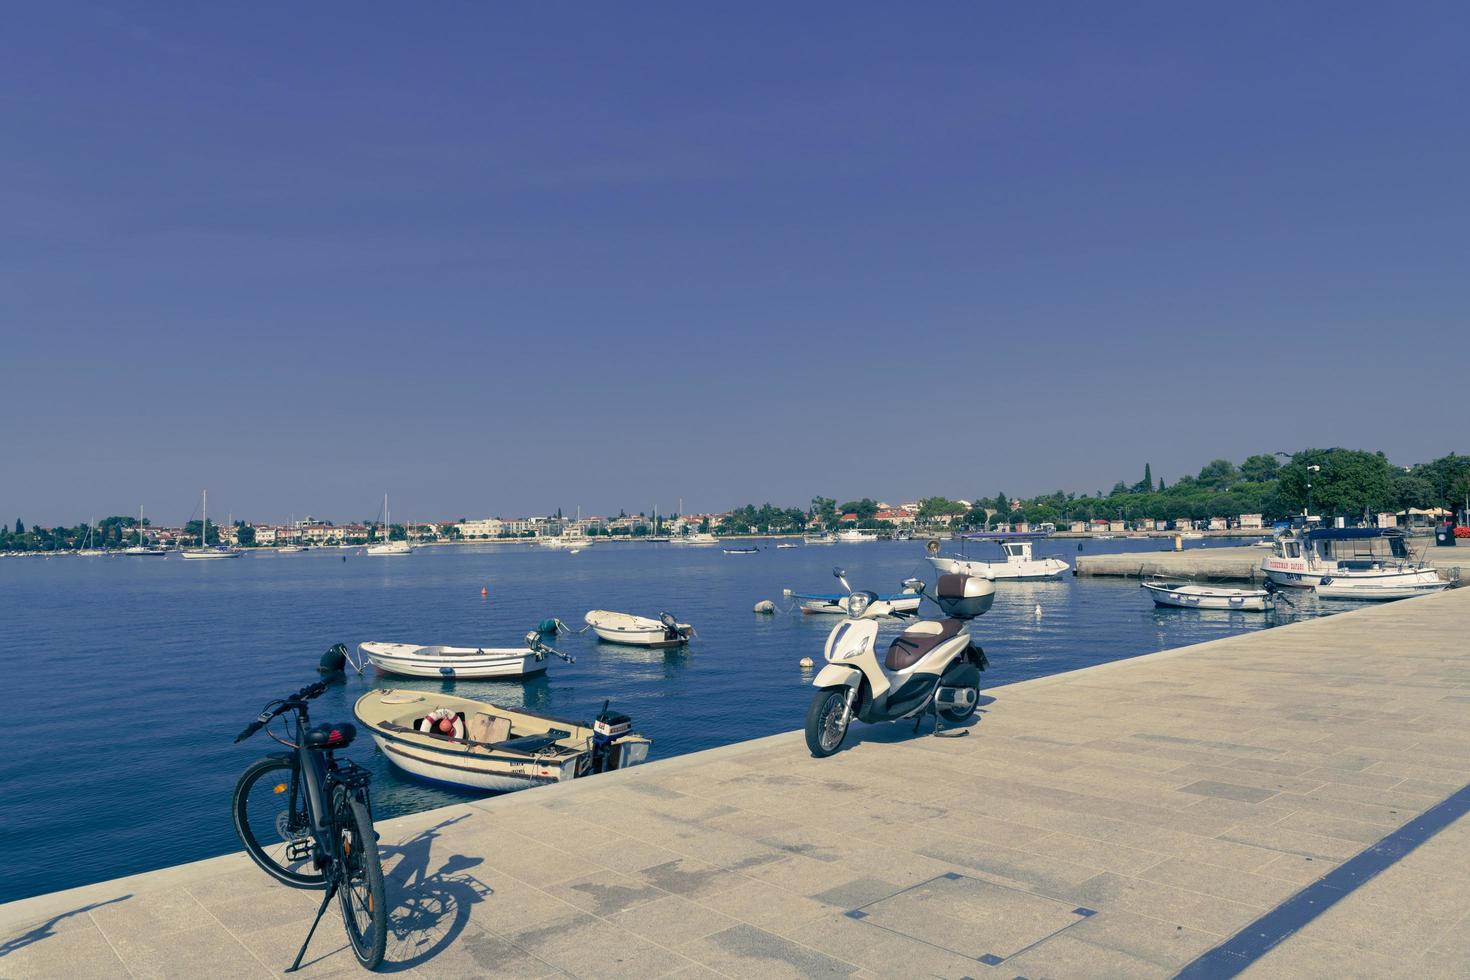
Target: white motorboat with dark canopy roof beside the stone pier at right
(1303, 559)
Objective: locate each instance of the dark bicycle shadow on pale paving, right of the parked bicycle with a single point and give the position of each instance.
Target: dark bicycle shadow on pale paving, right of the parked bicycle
(429, 907)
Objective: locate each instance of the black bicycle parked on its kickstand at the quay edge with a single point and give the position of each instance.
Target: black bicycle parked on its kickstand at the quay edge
(306, 819)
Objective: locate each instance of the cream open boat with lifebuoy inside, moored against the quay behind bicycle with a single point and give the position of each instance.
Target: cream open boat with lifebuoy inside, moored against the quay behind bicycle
(478, 746)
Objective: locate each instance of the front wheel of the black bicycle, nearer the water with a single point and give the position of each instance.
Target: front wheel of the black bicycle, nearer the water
(273, 822)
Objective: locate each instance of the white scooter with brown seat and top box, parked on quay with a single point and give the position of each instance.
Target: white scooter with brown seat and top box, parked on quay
(931, 666)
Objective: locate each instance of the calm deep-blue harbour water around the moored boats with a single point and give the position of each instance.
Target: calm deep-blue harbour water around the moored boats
(129, 678)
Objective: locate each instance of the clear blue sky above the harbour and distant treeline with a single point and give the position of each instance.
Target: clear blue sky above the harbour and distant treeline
(512, 258)
